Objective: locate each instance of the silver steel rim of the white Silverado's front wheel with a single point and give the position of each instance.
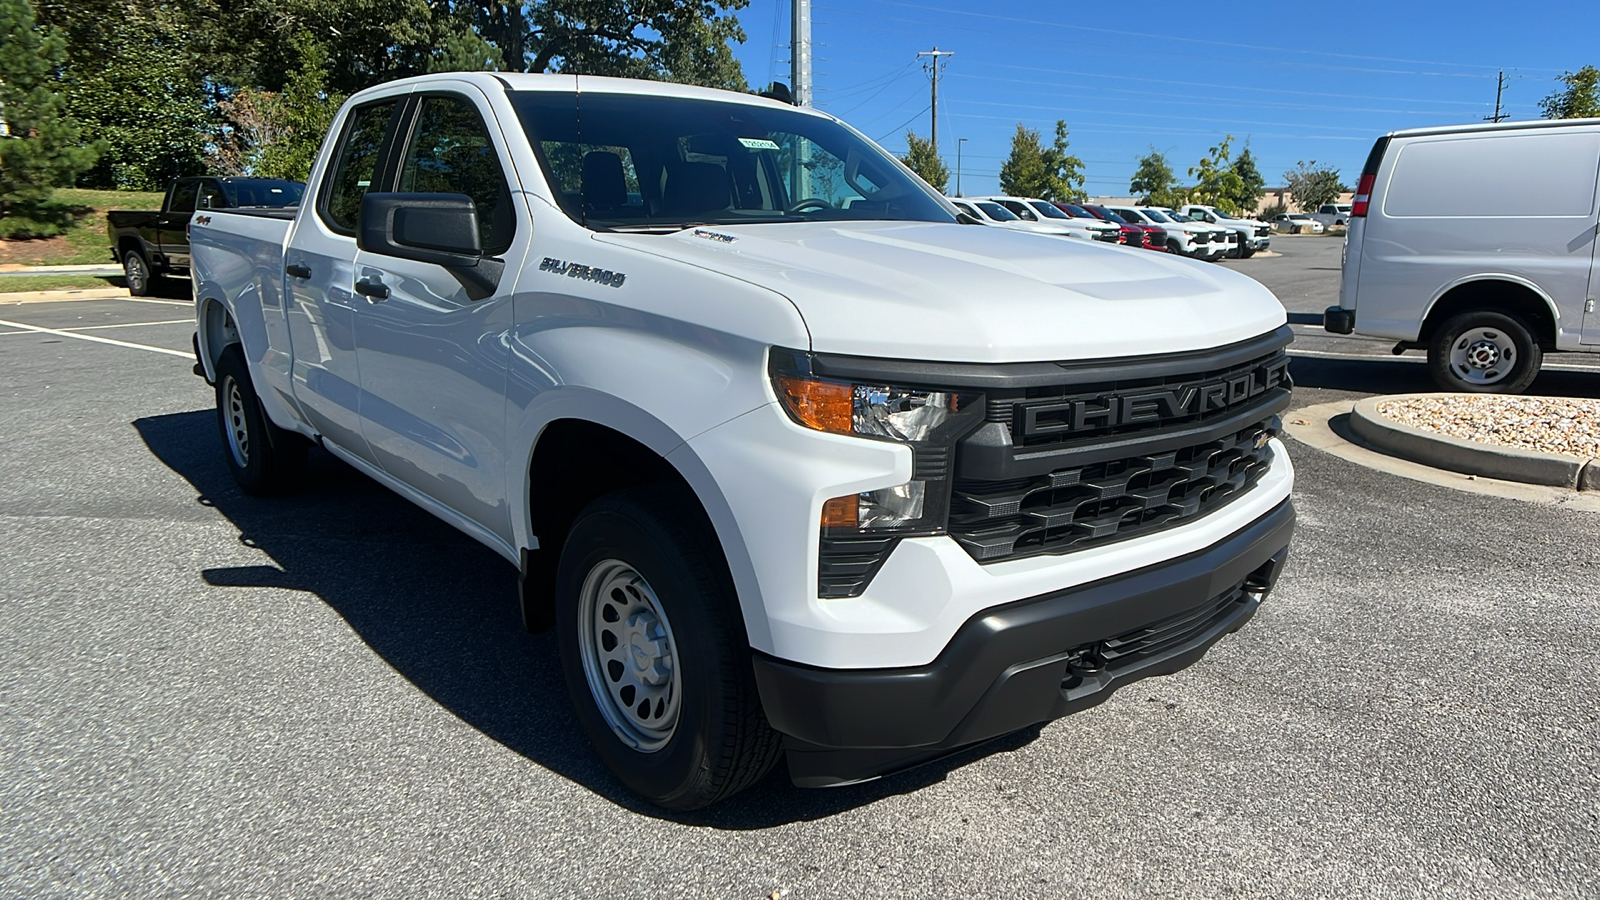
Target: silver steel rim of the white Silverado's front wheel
(631, 661)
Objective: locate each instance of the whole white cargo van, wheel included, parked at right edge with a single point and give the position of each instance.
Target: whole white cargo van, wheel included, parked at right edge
(1478, 243)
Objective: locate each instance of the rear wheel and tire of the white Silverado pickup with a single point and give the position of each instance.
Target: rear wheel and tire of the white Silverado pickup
(263, 457)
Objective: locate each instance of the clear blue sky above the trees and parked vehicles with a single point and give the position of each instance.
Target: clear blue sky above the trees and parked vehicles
(1298, 81)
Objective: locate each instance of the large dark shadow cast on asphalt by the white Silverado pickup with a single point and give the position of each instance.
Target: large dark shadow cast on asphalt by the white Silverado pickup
(442, 611)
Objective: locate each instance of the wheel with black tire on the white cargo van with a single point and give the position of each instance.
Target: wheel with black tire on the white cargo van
(1484, 353)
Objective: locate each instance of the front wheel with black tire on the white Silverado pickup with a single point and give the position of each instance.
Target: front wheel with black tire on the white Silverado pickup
(721, 742)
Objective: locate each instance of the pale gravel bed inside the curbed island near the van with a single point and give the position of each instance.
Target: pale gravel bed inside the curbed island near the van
(1551, 425)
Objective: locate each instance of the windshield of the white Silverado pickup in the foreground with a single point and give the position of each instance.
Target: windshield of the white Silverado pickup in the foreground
(662, 164)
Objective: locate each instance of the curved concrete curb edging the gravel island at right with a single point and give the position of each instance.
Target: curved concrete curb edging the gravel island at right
(1441, 451)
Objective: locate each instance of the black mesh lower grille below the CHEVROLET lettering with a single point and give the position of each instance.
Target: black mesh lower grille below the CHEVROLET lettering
(1081, 507)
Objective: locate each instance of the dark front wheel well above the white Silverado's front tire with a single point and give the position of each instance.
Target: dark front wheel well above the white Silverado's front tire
(575, 464)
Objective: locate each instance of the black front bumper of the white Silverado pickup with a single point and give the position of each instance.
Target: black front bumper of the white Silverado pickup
(1022, 664)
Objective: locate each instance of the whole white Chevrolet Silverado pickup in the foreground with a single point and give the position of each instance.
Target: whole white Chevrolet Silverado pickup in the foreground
(796, 465)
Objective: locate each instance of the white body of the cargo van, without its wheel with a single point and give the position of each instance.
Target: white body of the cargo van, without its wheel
(1450, 209)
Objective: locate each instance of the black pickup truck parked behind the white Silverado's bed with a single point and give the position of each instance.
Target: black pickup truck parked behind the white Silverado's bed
(151, 244)
